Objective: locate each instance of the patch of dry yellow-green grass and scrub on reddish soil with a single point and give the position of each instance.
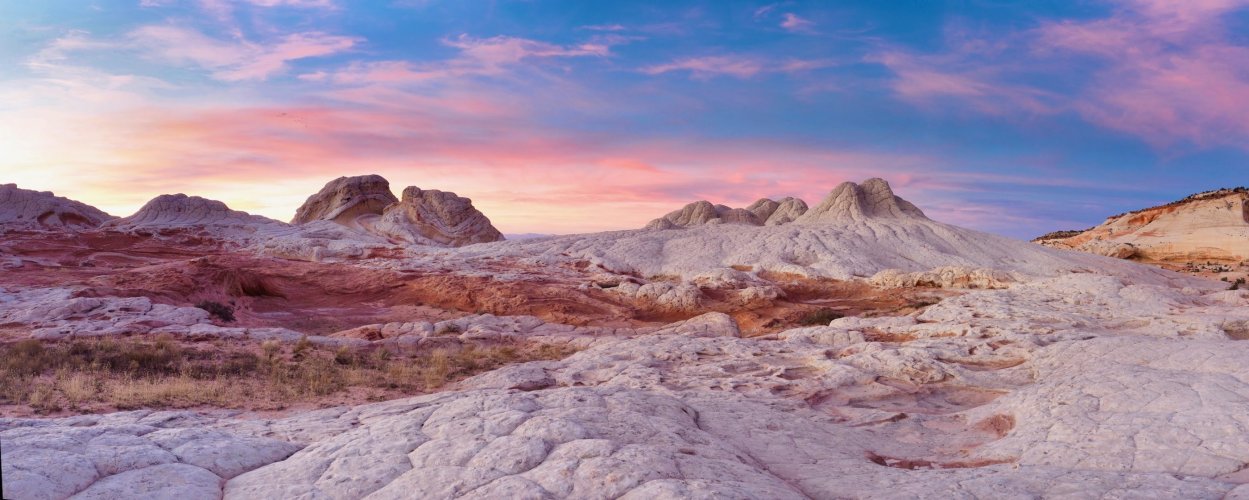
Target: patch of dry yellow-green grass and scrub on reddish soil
(122, 374)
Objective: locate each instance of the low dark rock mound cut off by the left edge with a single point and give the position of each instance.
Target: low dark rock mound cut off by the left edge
(27, 209)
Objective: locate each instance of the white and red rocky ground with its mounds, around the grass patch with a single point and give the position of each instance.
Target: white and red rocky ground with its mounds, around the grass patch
(856, 349)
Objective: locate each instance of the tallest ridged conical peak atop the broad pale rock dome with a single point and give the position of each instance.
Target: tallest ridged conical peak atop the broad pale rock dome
(874, 199)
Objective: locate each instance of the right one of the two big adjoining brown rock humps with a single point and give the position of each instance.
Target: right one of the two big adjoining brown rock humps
(437, 218)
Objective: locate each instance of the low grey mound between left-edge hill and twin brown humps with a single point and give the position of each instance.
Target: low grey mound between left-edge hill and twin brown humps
(172, 212)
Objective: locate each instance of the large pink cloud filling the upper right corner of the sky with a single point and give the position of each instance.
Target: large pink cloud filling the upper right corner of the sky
(1167, 73)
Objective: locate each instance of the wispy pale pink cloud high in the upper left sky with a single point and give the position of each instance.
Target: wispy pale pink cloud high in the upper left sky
(234, 61)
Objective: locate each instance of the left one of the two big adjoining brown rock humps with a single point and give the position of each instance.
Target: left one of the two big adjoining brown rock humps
(347, 199)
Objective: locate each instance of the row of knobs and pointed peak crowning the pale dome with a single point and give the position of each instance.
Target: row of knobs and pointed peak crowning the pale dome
(874, 199)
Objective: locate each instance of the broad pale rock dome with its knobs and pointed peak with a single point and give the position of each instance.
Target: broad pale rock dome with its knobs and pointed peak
(857, 232)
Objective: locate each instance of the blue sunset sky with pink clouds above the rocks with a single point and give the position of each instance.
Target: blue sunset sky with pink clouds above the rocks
(1016, 118)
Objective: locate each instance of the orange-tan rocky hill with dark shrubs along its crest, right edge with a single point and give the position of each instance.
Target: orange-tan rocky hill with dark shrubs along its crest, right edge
(1206, 227)
